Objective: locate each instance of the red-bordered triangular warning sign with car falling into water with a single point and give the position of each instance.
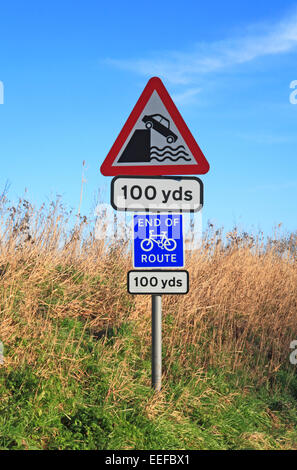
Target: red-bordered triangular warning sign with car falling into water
(155, 139)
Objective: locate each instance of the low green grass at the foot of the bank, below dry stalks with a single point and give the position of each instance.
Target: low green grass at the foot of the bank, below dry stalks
(92, 391)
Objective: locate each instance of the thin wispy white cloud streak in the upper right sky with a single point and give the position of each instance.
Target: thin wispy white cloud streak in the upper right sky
(184, 67)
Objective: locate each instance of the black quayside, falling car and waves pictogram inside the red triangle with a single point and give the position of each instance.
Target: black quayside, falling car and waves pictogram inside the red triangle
(140, 148)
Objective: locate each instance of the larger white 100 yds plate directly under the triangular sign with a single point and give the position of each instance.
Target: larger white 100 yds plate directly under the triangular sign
(163, 193)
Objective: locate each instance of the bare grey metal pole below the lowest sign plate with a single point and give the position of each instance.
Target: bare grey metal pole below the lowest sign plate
(156, 342)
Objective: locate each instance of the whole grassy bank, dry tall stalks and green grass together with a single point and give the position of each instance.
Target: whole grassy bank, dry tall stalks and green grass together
(77, 346)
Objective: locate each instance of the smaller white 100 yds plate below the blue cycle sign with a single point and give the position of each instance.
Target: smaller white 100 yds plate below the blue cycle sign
(158, 282)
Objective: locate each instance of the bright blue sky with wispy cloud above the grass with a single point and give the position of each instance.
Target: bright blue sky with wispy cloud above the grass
(73, 70)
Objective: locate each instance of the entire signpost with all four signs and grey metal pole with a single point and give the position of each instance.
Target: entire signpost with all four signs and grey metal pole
(153, 126)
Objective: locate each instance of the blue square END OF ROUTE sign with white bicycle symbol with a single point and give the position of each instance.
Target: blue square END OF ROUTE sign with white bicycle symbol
(158, 241)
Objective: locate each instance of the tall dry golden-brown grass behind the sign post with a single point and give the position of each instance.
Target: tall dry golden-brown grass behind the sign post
(240, 312)
